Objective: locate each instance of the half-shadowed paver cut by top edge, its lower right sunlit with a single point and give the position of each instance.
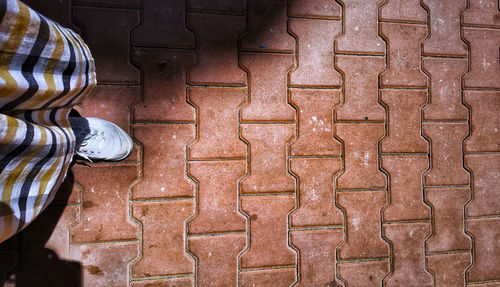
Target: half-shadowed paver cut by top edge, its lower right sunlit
(267, 28)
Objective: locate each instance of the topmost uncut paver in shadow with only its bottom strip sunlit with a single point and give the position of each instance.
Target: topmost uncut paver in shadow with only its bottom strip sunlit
(217, 46)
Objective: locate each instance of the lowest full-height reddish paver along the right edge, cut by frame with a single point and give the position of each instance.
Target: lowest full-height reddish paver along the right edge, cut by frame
(486, 234)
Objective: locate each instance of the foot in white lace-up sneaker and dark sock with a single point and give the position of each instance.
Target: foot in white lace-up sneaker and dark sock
(98, 139)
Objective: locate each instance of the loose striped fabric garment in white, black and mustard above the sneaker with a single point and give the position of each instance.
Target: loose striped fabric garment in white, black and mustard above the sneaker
(45, 70)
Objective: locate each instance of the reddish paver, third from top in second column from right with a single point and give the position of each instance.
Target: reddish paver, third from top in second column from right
(446, 154)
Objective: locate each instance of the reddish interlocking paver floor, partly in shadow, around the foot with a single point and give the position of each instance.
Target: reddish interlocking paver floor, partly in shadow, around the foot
(313, 142)
